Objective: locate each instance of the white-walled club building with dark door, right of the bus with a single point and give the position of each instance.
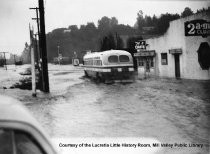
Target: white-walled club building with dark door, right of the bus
(182, 52)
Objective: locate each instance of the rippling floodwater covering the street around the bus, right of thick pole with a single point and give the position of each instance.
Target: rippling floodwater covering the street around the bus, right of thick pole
(168, 110)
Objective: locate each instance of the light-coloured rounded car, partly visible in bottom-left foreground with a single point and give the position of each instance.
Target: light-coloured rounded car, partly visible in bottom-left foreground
(20, 133)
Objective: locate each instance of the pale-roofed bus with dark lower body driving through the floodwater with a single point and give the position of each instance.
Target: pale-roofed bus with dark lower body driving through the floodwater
(111, 65)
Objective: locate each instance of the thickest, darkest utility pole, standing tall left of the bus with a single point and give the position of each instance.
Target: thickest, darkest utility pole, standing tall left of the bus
(45, 79)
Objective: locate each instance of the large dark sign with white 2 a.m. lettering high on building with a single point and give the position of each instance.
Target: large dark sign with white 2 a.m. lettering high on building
(197, 28)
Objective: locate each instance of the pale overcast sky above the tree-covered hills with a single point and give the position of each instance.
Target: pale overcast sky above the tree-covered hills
(15, 15)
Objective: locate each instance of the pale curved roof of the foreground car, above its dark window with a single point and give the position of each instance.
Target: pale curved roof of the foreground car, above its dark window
(14, 115)
